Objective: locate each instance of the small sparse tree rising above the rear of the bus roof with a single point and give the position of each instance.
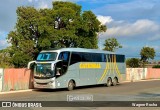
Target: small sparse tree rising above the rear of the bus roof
(111, 44)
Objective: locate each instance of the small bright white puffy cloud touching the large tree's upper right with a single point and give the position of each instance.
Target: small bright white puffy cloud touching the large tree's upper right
(104, 19)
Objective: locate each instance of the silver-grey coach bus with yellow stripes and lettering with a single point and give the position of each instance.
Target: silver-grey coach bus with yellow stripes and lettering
(73, 67)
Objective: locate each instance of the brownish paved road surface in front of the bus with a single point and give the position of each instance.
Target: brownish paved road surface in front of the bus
(133, 91)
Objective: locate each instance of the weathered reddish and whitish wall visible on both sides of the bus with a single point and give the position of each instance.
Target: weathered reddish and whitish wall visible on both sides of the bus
(18, 79)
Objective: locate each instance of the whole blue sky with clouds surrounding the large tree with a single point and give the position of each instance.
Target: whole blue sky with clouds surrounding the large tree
(135, 23)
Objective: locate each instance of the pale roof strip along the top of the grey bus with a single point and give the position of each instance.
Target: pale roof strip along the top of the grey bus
(78, 50)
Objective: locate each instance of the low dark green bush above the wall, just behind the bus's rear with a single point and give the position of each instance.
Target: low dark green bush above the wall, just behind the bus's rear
(133, 62)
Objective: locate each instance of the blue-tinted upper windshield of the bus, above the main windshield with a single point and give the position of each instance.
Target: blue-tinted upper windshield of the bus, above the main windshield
(47, 56)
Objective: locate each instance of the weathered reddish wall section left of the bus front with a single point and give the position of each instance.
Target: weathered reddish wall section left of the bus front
(17, 79)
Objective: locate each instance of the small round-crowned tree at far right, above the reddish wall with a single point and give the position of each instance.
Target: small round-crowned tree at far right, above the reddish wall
(147, 53)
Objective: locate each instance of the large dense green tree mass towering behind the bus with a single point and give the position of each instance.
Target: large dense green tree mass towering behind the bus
(65, 25)
